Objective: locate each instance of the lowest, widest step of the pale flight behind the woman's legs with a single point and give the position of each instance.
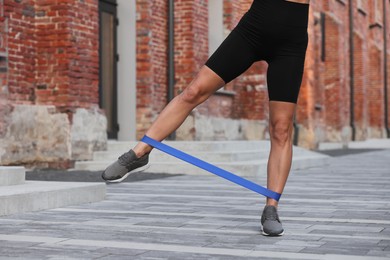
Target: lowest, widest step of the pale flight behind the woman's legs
(253, 168)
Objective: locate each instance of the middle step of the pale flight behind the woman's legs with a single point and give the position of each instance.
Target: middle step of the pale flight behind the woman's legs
(222, 156)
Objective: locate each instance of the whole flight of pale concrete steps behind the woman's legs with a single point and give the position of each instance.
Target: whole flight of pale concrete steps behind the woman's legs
(244, 158)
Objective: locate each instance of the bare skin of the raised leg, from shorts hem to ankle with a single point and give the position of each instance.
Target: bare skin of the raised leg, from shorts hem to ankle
(204, 84)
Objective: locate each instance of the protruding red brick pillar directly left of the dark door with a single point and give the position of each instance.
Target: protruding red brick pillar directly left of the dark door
(67, 70)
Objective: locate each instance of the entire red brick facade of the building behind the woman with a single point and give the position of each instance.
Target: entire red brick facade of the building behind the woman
(53, 59)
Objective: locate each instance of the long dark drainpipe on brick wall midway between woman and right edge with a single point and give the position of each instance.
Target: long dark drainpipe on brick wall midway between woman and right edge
(351, 71)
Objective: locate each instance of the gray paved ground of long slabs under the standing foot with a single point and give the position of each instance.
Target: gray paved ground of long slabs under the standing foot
(337, 212)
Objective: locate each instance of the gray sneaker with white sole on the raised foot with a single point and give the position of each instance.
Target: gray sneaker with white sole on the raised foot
(126, 164)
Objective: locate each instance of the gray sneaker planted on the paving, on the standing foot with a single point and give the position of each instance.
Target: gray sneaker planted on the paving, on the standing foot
(271, 225)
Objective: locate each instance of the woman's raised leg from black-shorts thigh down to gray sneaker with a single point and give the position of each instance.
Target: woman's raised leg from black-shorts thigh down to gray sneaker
(231, 59)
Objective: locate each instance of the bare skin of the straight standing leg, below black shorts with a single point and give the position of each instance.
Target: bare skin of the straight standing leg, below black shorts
(279, 162)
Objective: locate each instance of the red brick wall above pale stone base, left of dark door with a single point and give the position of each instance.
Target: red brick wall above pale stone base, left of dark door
(53, 52)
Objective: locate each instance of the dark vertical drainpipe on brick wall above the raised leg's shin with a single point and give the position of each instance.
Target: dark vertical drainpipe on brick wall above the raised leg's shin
(171, 57)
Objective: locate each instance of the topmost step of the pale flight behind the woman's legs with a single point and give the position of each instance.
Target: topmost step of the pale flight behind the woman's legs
(197, 146)
